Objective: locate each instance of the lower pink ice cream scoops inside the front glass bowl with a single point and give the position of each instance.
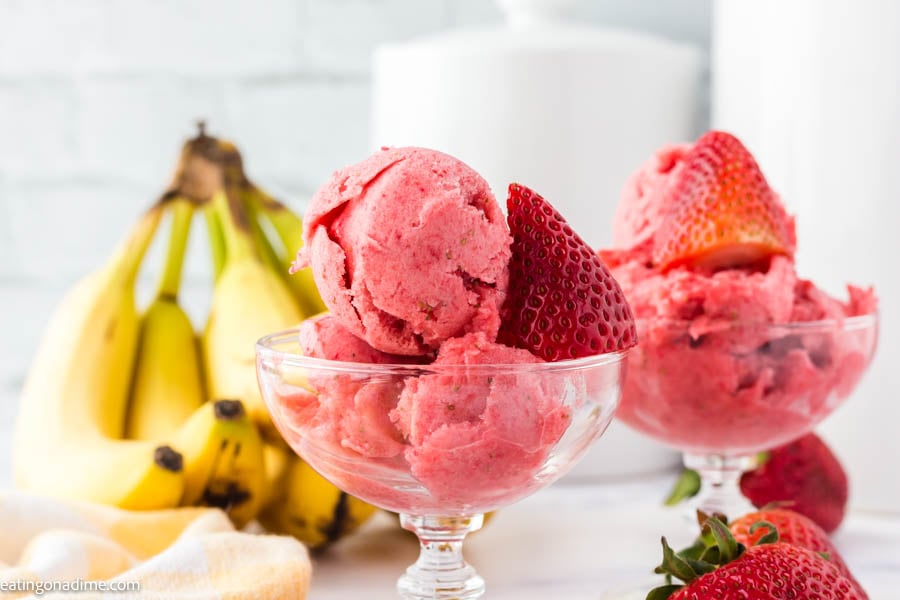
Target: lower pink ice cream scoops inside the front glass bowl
(462, 436)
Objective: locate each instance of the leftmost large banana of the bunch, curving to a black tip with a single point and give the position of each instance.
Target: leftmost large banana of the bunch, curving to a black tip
(72, 411)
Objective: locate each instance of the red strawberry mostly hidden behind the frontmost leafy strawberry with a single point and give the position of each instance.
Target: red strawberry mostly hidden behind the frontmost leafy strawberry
(794, 529)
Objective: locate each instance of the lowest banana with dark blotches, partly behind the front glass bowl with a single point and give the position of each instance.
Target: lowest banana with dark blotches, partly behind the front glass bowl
(312, 509)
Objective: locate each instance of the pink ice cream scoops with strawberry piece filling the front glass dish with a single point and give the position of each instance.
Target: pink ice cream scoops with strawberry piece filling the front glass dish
(464, 411)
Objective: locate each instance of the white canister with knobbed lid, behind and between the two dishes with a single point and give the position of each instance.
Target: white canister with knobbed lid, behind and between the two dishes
(563, 108)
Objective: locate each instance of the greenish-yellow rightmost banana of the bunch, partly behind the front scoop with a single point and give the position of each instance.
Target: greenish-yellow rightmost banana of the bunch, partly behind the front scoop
(288, 227)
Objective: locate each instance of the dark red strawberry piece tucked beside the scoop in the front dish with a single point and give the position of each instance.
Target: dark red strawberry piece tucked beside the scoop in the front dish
(563, 303)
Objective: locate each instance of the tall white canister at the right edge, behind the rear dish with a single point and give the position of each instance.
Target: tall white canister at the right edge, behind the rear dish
(813, 88)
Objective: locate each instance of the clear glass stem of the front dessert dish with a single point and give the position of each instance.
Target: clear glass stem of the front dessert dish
(441, 572)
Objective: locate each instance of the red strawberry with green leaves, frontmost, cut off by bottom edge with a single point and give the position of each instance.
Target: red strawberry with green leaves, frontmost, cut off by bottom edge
(729, 570)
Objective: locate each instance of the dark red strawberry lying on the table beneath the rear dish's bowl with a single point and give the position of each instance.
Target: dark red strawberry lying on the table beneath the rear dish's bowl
(806, 475)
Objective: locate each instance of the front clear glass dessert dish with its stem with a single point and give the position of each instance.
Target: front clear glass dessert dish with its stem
(438, 444)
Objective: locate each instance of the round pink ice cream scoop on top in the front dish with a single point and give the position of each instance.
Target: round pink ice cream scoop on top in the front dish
(408, 248)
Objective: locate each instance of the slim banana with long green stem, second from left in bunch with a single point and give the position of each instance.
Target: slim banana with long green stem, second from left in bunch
(168, 384)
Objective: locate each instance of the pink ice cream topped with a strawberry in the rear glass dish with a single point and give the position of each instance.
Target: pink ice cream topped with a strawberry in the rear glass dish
(704, 252)
